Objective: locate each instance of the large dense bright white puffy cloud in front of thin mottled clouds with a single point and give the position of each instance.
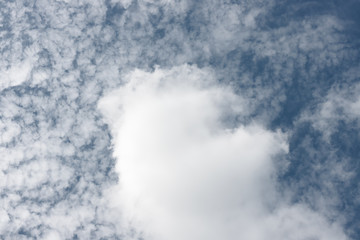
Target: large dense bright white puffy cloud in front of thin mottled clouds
(187, 172)
